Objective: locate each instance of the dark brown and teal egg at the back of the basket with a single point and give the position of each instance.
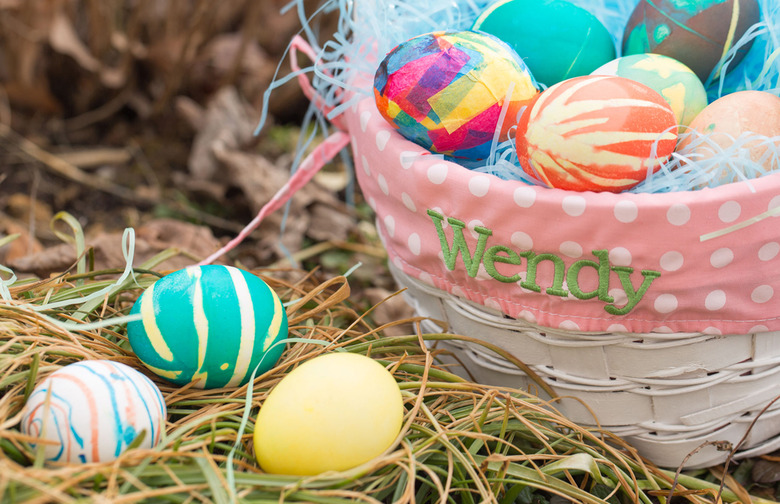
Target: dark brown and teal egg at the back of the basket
(696, 32)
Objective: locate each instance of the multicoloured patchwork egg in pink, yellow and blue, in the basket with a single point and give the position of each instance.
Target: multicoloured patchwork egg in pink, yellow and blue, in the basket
(451, 92)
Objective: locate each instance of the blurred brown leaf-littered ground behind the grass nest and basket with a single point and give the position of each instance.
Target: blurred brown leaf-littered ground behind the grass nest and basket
(141, 113)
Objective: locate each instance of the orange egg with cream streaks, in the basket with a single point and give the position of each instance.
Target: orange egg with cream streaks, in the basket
(595, 133)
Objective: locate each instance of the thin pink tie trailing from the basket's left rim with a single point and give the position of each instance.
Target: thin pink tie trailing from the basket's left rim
(318, 158)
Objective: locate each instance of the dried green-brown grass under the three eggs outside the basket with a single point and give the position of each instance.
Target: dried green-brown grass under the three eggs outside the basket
(461, 442)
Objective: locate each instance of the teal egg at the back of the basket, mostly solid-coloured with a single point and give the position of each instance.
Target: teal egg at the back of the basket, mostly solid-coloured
(556, 39)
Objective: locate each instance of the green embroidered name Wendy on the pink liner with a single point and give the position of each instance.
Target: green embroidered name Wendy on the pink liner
(501, 254)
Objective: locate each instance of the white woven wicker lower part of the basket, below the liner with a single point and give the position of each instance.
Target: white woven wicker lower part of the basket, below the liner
(666, 394)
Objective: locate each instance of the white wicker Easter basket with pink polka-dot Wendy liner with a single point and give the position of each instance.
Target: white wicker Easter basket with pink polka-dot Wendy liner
(655, 315)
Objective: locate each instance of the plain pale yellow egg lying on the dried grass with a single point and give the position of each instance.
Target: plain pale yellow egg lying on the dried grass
(331, 413)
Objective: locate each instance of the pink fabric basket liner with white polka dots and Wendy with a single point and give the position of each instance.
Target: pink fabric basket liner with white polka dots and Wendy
(701, 261)
